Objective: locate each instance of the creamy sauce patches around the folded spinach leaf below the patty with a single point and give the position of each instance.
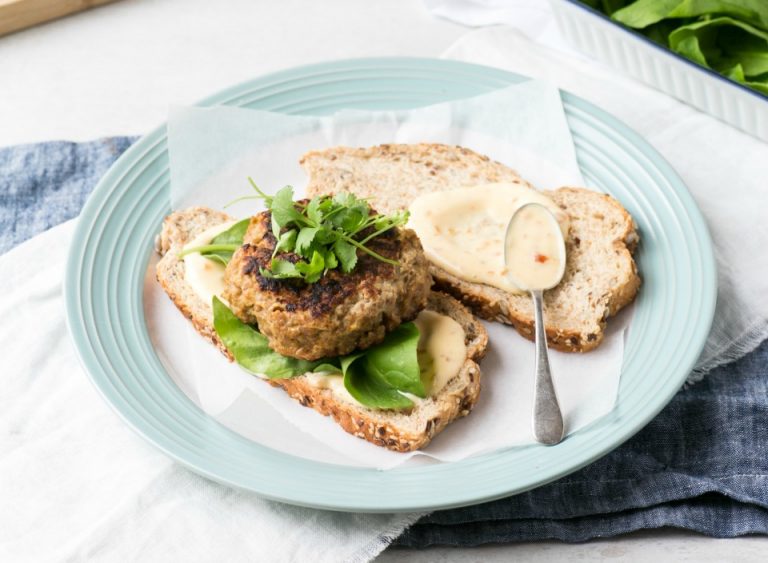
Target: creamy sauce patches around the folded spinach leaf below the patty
(441, 352)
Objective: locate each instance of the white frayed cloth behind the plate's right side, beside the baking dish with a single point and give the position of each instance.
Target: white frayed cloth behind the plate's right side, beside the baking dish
(725, 170)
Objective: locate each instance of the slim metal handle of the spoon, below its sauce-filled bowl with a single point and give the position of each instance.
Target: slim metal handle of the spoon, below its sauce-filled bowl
(547, 418)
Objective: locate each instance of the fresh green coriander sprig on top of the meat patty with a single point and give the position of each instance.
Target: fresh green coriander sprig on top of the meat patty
(325, 233)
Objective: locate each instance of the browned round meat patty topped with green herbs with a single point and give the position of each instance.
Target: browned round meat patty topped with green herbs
(340, 312)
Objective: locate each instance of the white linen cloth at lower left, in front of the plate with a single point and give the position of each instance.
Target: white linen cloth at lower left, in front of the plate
(78, 485)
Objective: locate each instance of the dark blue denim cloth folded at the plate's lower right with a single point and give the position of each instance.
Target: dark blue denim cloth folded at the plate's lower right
(701, 465)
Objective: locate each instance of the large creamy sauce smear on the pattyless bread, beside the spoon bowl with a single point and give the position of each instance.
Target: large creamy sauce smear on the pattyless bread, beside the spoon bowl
(463, 230)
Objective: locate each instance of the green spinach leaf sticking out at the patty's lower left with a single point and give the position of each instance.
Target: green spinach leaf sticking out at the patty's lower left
(250, 348)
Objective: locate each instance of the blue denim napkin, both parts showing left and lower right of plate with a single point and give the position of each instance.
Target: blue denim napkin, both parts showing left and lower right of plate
(702, 464)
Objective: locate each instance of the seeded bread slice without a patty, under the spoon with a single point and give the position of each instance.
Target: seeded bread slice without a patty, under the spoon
(601, 275)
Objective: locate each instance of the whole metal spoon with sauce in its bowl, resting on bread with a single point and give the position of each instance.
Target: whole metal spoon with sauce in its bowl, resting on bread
(522, 261)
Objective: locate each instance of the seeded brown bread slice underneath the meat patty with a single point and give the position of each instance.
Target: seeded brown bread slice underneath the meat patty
(400, 431)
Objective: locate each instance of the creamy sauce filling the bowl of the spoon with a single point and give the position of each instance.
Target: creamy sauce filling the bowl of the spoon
(535, 251)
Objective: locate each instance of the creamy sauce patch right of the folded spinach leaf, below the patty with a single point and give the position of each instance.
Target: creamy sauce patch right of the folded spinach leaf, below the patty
(441, 349)
